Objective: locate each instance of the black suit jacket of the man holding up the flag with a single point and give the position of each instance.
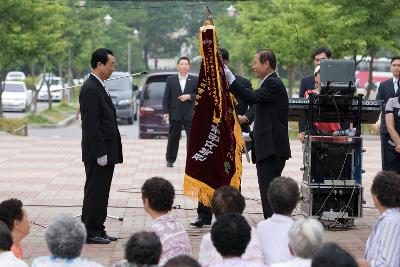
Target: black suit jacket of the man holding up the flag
(270, 132)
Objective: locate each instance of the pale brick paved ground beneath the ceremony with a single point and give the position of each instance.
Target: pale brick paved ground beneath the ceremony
(48, 176)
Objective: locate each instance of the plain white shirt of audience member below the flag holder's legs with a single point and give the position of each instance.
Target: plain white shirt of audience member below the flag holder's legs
(273, 236)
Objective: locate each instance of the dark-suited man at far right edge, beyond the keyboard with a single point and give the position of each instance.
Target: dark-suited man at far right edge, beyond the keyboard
(386, 90)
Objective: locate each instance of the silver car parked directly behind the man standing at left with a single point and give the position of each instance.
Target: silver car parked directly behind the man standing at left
(124, 96)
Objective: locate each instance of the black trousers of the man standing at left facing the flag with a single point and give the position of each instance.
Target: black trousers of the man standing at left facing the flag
(95, 200)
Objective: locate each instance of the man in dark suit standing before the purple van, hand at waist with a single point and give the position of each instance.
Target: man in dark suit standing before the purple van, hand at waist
(178, 106)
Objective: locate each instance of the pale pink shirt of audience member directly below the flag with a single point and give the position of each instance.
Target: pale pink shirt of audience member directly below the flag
(208, 254)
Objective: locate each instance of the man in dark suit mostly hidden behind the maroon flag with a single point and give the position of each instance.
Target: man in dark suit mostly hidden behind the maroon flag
(246, 115)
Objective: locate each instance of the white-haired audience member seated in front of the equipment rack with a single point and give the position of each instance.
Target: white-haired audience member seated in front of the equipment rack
(305, 237)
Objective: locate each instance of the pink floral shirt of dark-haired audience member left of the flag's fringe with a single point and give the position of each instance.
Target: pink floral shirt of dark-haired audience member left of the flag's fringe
(174, 239)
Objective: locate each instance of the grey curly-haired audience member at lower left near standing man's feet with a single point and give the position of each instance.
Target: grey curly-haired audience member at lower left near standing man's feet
(65, 238)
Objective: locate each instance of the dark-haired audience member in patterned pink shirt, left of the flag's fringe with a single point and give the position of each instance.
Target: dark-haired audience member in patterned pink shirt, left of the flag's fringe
(158, 196)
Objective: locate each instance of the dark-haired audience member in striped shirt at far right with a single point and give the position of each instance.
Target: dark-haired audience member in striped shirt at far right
(383, 245)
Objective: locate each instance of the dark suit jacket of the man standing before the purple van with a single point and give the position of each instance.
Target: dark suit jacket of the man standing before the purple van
(176, 109)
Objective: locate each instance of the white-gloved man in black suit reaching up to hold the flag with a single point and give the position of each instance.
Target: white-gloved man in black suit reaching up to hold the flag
(270, 134)
